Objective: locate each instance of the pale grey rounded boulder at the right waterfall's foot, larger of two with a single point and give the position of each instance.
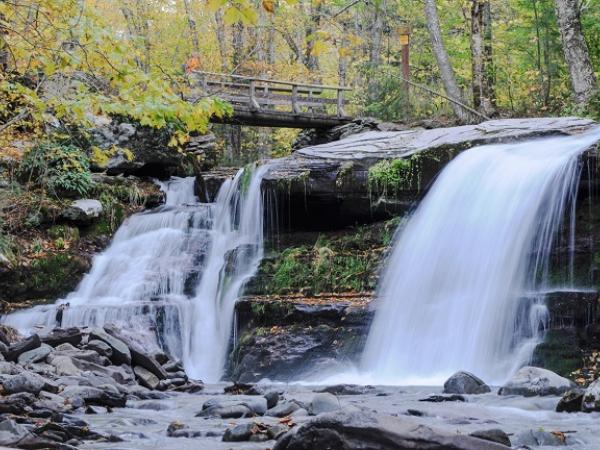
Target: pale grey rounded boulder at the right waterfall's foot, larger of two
(533, 381)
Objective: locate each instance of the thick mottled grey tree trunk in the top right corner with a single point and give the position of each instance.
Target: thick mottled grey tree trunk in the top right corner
(575, 50)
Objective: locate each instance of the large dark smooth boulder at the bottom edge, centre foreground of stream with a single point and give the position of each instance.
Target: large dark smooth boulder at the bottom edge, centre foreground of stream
(341, 431)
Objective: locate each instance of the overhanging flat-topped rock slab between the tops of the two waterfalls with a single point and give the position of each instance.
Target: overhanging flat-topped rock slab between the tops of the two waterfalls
(331, 181)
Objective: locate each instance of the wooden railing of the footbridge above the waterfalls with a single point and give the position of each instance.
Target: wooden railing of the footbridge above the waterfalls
(260, 94)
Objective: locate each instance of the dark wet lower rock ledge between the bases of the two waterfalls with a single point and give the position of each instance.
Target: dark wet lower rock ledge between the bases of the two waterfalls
(287, 338)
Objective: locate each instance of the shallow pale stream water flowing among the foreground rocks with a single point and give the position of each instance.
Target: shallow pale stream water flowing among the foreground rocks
(512, 414)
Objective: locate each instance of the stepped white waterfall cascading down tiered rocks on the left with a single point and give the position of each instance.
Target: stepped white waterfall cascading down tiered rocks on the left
(171, 275)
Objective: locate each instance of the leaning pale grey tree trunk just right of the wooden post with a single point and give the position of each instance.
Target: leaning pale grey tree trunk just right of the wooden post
(446, 71)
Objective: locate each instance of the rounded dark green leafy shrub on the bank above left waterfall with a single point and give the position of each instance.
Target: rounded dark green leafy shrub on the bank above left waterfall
(62, 170)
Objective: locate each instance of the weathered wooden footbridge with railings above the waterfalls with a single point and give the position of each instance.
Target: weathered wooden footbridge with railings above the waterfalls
(274, 103)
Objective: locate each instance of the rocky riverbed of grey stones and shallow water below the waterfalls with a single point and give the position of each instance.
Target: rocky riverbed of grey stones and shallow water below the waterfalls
(98, 389)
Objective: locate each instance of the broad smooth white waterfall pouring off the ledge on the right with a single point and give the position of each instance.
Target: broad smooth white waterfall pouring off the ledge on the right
(451, 294)
